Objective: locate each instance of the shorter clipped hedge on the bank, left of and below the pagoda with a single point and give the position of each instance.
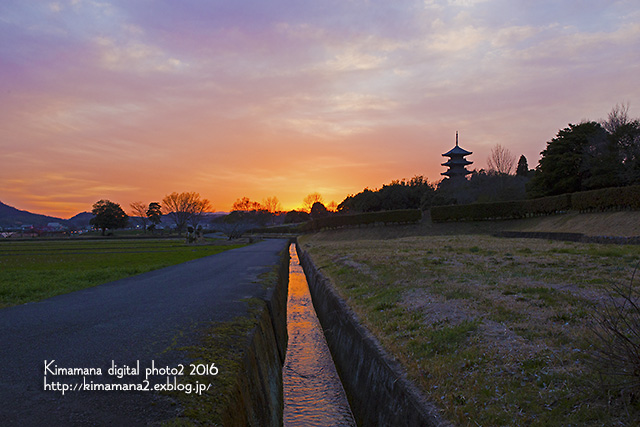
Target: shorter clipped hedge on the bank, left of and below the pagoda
(386, 217)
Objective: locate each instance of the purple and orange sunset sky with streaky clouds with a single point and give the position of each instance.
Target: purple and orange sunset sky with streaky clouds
(131, 100)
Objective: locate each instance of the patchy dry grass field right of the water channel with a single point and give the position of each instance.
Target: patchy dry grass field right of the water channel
(494, 331)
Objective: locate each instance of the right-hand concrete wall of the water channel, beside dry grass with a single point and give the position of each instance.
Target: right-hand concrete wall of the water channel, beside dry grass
(379, 392)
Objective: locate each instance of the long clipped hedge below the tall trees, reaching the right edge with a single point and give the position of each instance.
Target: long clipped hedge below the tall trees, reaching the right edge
(594, 200)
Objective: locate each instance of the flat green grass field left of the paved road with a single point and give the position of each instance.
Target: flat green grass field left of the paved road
(35, 270)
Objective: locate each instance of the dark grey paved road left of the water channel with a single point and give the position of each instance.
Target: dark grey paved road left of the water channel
(133, 319)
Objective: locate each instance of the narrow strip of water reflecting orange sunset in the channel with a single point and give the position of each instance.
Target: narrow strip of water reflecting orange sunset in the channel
(313, 393)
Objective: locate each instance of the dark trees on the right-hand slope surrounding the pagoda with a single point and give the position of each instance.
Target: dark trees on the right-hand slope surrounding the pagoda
(587, 156)
